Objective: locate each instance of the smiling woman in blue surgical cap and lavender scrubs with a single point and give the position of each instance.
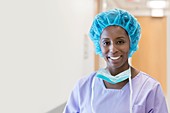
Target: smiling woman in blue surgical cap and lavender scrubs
(119, 87)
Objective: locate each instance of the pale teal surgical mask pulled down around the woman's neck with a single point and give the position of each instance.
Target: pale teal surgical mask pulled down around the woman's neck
(104, 74)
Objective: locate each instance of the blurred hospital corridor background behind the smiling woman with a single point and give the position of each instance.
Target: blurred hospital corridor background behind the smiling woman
(45, 49)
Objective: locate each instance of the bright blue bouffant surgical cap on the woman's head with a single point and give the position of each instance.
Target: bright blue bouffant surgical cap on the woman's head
(116, 17)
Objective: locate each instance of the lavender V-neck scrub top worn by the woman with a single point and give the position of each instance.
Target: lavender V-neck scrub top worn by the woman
(87, 98)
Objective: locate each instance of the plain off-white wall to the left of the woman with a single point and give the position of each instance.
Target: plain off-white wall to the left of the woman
(41, 52)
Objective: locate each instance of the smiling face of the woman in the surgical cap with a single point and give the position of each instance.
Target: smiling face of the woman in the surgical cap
(115, 44)
